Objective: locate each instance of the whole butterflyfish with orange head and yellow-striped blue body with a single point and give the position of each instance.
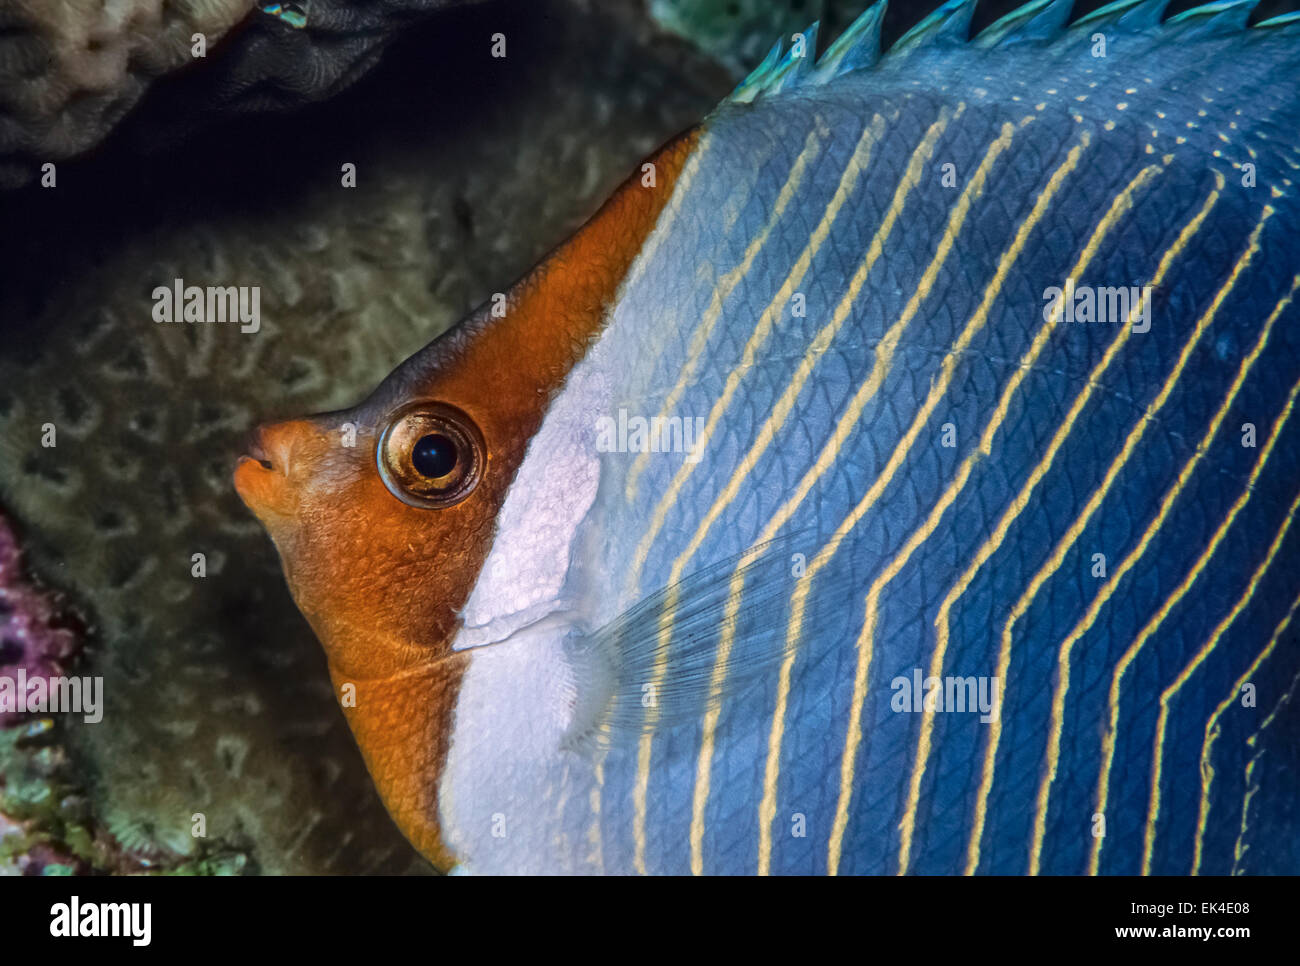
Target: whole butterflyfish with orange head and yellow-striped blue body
(895, 476)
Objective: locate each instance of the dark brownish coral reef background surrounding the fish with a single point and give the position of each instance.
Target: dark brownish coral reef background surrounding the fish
(227, 172)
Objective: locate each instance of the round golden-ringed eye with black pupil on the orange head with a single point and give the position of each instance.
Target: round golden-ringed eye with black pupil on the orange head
(431, 456)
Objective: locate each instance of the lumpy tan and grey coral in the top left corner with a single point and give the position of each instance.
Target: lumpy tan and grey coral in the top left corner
(72, 70)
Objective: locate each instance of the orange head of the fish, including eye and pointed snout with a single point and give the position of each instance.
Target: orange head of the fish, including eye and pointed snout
(384, 514)
